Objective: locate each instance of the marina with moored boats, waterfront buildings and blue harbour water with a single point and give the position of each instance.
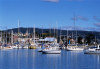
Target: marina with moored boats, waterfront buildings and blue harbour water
(48, 52)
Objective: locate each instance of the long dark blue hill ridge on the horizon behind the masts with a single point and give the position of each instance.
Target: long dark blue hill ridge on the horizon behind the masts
(63, 32)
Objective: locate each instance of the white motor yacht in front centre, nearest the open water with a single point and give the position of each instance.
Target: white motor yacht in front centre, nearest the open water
(52, 50)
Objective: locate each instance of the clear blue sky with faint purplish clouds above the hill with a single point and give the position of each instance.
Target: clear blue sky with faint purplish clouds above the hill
(50, 14)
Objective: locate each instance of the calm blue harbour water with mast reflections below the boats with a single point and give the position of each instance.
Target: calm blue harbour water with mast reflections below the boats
(31, 59)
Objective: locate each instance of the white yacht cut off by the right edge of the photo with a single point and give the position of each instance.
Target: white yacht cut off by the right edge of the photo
(92, 50)
